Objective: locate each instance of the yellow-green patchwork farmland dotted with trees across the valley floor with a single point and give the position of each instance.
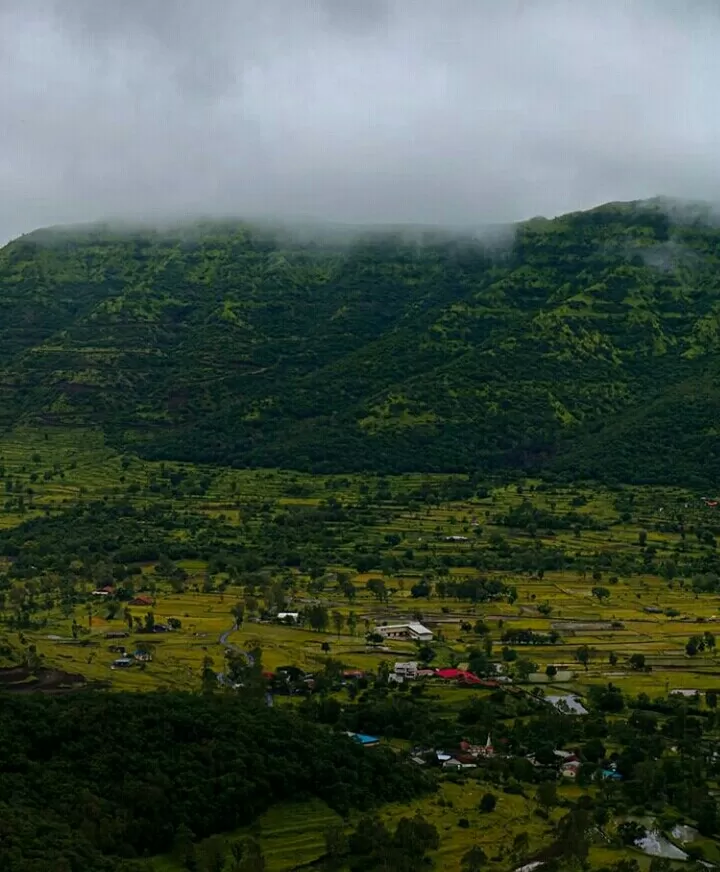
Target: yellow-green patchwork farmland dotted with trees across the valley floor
(611, 584)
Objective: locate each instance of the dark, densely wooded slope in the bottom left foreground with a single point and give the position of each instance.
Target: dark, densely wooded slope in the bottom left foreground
(92, 782)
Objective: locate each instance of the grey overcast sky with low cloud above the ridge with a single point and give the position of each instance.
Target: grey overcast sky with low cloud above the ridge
(449, 112)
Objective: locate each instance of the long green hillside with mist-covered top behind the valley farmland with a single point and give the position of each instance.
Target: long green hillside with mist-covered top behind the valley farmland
(587, 347)
